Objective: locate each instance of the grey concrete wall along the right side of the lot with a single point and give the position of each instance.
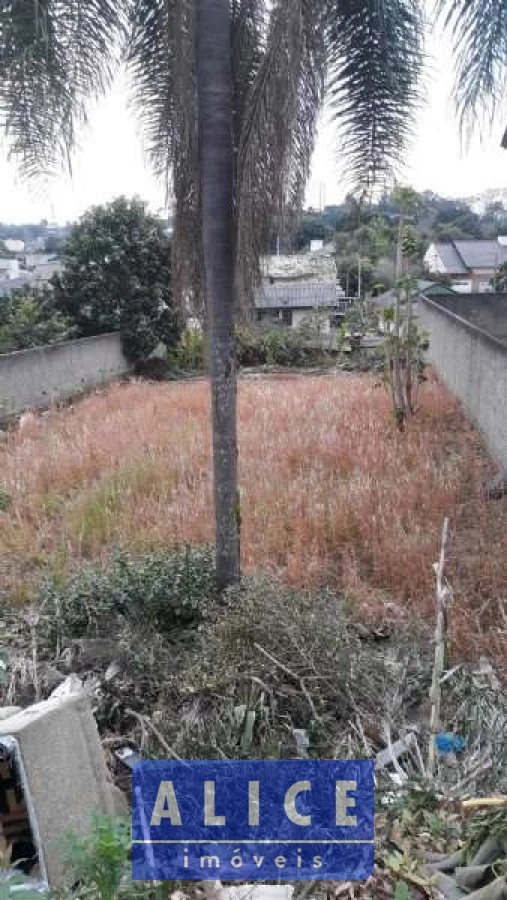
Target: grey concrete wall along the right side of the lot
(472, 363)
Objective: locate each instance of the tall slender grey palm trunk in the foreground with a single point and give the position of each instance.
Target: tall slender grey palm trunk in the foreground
(214, 85)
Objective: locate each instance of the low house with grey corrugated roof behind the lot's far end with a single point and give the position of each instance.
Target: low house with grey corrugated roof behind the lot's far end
(291, 303)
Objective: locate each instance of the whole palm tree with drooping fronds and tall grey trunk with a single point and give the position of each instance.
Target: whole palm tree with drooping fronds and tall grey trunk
(229, 92)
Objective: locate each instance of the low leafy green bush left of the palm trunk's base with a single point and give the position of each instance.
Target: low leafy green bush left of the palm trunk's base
(164, 591)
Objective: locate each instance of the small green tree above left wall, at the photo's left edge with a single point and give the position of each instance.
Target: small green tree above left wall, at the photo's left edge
(29, 319)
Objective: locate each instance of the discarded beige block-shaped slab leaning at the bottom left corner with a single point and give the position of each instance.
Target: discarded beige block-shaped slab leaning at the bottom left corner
(66, 776)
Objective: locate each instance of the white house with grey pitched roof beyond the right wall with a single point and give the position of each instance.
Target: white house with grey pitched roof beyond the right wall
(471, 265)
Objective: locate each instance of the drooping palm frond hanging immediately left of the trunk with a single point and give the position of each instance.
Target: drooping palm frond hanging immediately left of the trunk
(161, 62)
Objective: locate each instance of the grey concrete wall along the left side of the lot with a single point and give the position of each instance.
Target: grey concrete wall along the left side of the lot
(35, 379)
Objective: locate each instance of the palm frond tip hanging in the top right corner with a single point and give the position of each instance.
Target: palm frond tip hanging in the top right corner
(479, 29)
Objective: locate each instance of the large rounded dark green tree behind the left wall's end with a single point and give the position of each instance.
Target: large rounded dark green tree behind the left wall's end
(117, 277)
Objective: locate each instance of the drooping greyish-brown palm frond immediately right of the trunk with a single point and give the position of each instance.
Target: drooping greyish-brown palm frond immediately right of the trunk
(277, 131)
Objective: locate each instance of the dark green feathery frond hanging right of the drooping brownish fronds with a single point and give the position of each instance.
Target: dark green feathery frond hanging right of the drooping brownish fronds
(375, 55)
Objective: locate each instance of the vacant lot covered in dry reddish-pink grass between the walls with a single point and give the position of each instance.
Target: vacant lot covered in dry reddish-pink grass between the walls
(331, 493)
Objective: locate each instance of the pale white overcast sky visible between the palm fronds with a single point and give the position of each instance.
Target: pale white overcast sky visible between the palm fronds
(111, 159)
